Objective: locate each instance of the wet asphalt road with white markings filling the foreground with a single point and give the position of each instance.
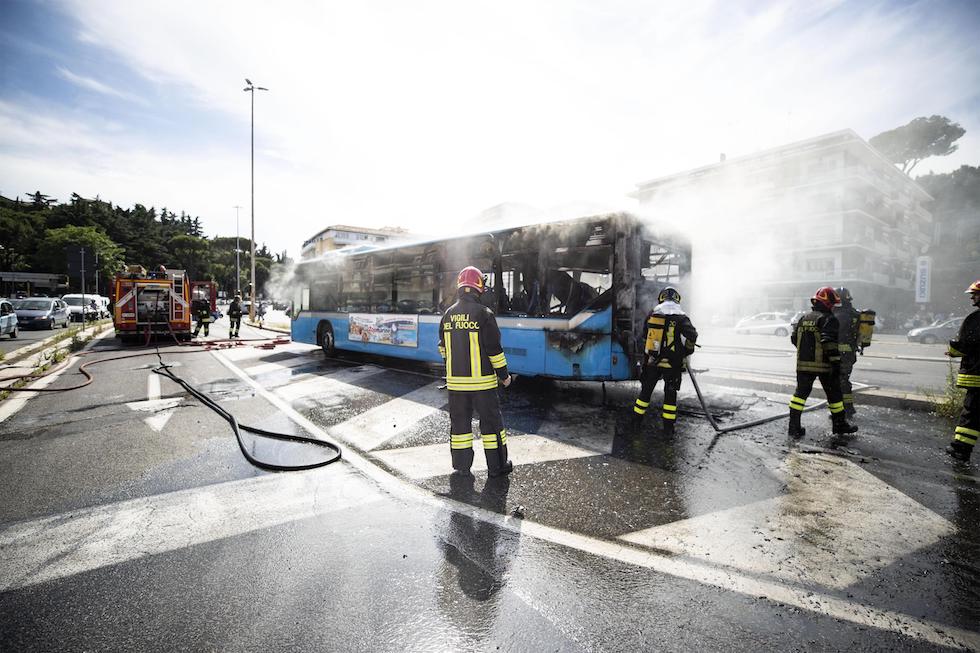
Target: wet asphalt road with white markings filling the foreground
(129, 520)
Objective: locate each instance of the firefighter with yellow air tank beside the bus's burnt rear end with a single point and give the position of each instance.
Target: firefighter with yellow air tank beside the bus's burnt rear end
(669, 339)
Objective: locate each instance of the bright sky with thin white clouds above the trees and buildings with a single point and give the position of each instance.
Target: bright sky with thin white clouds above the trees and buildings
(424, 114)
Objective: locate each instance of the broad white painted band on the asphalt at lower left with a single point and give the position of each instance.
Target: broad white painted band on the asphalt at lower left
(64, 545)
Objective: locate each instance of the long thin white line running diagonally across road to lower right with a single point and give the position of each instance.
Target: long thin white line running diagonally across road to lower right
(723, 578)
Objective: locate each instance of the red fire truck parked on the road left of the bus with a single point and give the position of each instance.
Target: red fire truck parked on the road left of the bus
(155, 303)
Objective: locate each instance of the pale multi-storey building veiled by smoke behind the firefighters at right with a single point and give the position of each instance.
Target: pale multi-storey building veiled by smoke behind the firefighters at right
(769, 228)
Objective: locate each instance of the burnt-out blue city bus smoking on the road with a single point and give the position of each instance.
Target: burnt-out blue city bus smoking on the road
(570, 297)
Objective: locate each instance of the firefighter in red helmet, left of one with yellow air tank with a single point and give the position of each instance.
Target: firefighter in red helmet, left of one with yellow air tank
(815, 337)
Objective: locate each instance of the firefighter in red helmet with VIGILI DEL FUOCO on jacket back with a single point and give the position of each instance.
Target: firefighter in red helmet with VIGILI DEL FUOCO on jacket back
(469, 342)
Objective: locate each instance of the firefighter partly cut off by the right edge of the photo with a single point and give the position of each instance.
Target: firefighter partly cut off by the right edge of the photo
(967, 347)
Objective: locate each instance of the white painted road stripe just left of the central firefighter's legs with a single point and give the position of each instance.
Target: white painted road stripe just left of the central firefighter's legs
(375, 426)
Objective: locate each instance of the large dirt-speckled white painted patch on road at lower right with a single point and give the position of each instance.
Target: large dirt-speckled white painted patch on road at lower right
(835, 524)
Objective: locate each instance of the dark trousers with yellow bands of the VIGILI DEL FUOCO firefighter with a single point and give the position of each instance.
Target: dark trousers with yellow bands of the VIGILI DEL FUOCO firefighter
(486, 404)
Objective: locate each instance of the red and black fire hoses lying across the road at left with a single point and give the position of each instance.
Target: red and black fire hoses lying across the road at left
(165, 370)
